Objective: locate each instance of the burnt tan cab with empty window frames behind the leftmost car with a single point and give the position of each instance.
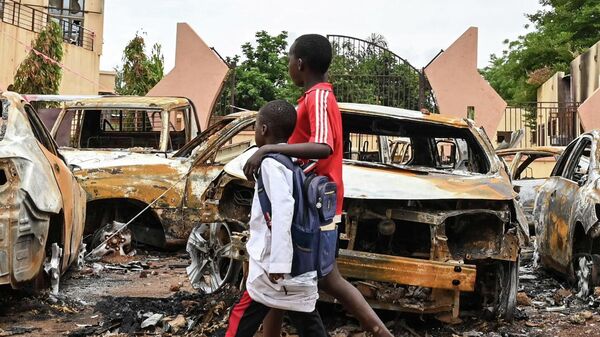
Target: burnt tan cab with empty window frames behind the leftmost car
(145, 124)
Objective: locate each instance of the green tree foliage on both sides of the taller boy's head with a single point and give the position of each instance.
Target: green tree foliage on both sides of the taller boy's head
(371, 75)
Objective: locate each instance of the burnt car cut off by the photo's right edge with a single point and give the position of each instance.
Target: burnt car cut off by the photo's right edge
(567, 213)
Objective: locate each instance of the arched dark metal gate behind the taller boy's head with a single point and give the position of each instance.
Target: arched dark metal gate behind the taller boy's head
(366, 72)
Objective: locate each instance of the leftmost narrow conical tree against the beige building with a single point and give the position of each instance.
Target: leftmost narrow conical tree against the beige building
(36, 74)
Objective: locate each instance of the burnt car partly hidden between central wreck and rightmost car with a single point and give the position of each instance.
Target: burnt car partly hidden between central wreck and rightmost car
(529, 168)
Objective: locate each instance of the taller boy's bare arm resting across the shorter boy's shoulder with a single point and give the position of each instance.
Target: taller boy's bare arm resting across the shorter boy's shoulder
(301, 150)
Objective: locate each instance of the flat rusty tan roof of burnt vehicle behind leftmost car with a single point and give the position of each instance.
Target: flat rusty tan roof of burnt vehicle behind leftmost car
(164, 103)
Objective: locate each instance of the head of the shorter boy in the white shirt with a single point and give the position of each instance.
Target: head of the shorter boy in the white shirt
(280, 117)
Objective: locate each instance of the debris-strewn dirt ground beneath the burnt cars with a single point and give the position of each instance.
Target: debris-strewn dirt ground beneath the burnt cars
(115, 296)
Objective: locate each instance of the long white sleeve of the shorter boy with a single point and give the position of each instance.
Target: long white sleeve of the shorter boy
(279, 191)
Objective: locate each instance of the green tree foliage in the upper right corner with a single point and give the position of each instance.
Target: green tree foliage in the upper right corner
(563, 29)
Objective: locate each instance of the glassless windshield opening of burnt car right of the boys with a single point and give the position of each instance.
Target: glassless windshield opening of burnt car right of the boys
(414, 145)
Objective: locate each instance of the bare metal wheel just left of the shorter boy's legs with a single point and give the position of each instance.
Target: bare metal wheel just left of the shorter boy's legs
(209, 246)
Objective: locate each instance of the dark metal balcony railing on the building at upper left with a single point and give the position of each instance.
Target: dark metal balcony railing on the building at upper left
(34, 20)
